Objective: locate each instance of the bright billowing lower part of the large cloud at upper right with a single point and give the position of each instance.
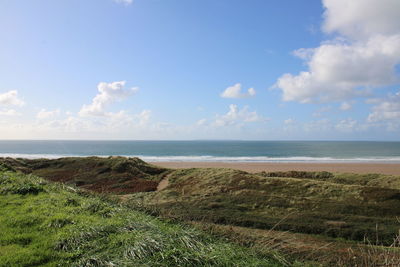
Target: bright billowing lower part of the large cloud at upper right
(337, 70)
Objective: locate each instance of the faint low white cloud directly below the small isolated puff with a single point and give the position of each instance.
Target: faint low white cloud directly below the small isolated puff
(237, 116)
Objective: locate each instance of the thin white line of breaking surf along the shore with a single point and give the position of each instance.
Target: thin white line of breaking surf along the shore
(218, 159)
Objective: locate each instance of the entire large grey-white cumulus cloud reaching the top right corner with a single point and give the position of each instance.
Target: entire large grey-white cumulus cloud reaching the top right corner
(364, 56)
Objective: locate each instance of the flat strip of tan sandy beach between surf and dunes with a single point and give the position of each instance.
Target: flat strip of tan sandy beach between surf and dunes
(383, 168)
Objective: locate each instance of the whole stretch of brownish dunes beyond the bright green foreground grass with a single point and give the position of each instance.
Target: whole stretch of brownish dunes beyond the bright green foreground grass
(331, 218)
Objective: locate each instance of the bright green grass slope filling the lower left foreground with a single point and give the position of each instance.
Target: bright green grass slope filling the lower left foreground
(46, 224)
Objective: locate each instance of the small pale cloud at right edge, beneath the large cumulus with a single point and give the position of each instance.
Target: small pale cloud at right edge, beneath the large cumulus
(387, 110)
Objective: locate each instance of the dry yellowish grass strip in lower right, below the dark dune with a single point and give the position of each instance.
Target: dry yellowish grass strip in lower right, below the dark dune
(317, 250)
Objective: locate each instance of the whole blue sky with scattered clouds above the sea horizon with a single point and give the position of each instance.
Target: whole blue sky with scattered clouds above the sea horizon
(200, 69)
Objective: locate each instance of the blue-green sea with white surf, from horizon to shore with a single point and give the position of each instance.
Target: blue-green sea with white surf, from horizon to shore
(225, 151)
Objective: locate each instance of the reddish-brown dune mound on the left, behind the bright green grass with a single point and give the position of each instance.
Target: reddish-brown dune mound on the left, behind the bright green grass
(118, 175)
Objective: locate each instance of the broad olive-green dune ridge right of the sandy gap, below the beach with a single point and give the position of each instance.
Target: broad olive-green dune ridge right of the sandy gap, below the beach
(313, 203)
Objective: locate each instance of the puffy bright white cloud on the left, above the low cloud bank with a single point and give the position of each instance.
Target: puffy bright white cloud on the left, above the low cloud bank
(108, 94)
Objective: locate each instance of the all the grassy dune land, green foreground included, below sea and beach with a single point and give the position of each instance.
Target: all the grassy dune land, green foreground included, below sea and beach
(329, 218)
